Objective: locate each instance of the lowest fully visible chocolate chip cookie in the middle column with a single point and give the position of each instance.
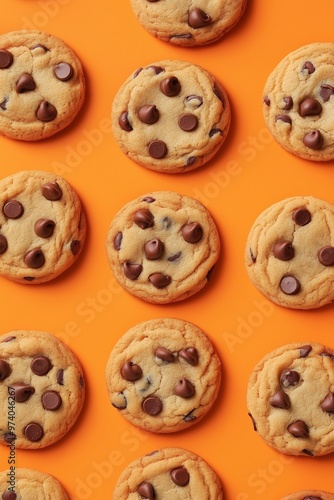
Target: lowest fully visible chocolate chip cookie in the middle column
(163, 375)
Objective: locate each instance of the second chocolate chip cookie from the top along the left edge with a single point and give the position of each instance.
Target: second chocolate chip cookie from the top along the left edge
(42, 226)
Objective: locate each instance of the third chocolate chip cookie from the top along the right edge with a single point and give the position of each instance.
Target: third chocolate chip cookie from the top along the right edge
(290, 398)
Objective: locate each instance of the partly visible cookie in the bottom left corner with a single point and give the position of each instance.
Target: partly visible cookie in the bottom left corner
(28, 484)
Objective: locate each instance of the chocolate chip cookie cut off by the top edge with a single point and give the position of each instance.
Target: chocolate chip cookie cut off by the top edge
(187, 23)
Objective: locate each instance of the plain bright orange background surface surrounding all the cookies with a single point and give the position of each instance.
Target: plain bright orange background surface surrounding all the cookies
(89, 311)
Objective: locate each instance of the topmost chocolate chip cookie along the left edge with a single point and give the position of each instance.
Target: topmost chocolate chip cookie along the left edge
(42, 85)
